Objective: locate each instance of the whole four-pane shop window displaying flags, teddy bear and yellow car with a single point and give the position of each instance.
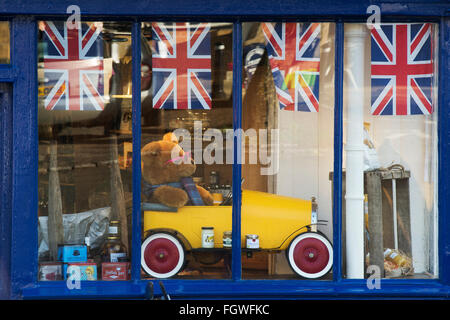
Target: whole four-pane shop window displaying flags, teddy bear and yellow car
(389, 176)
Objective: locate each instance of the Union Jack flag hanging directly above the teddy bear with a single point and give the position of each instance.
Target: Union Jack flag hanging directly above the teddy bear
(181, 64)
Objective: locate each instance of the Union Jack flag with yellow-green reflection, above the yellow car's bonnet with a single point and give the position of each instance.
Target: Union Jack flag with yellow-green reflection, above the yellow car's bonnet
(294, 56)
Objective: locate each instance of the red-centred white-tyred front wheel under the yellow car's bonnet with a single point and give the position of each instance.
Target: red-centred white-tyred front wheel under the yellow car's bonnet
(310, 255)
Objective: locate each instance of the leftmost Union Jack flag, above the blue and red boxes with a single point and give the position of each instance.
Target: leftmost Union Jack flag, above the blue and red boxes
(73, 66)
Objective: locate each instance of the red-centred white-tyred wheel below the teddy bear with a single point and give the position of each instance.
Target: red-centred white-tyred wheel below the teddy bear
(162, 255)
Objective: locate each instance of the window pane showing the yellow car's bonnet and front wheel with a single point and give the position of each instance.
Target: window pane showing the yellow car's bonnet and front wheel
(288, 112)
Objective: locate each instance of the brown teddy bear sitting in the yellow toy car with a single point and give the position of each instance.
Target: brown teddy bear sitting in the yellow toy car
(166, 173)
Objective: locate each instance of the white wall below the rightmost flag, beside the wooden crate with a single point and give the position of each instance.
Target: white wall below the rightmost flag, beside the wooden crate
(407, 141)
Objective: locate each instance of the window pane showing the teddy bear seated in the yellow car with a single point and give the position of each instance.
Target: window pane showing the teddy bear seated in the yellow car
(186, 169)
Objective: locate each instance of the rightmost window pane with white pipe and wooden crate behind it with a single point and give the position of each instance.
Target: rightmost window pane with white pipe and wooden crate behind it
(390, 151)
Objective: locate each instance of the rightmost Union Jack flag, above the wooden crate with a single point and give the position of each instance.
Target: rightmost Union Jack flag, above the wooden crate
(402, 69)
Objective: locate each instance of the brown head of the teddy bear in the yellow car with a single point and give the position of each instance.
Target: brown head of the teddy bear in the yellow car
(165, 161)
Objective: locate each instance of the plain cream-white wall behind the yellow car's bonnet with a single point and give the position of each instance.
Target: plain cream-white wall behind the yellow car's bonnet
(306, 142)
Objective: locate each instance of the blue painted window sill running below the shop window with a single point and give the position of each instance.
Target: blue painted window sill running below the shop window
(248, 289)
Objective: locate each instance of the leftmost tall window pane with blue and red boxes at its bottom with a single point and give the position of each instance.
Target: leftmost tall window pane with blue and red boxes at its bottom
(85, 177)
